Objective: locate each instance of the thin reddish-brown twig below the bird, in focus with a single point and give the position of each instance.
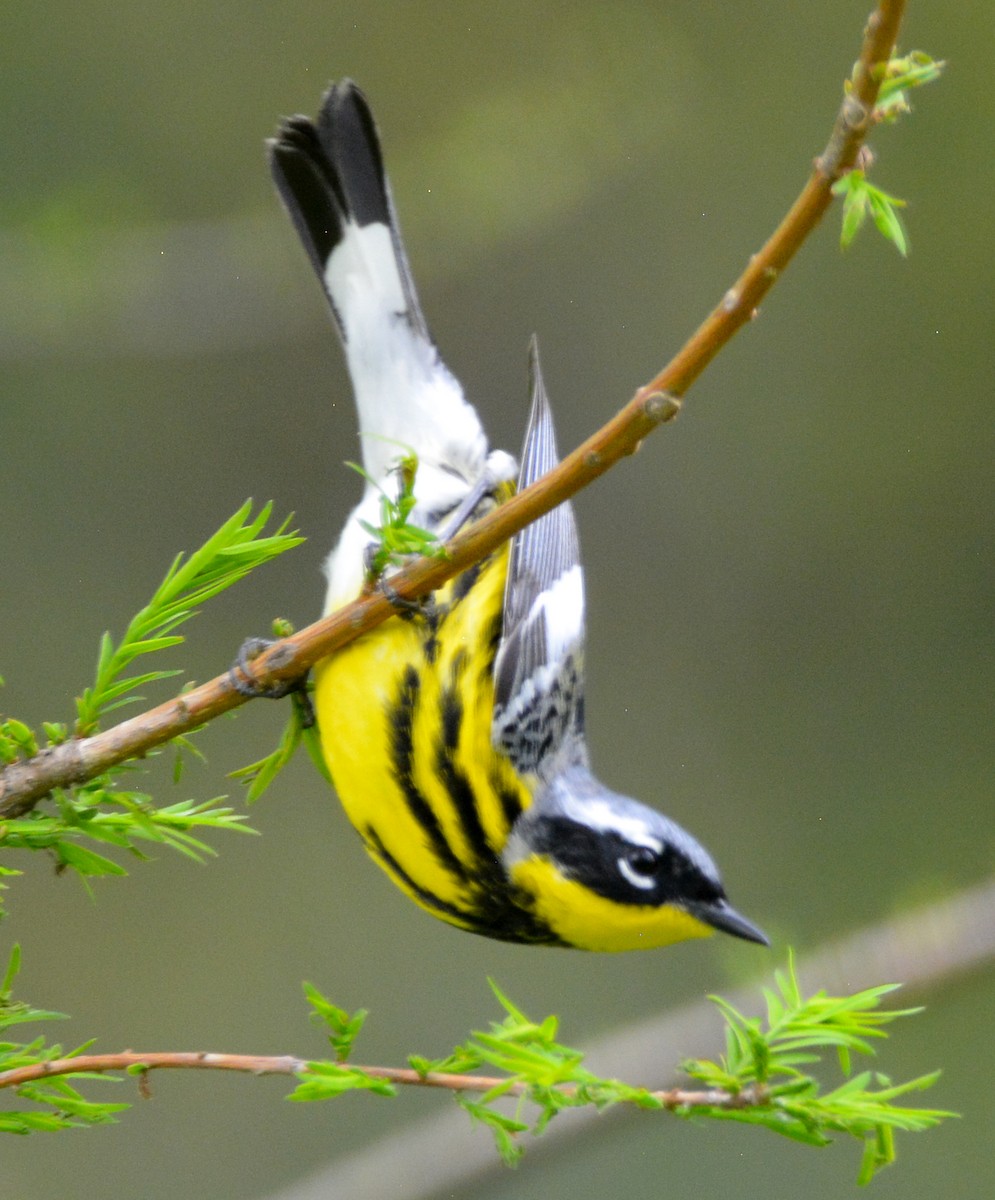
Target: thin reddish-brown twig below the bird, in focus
(286, 1065)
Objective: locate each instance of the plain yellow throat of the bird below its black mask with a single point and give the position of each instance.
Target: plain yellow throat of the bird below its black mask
(590, 922)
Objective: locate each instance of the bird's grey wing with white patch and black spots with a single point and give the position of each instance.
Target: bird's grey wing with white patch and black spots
(538, 718)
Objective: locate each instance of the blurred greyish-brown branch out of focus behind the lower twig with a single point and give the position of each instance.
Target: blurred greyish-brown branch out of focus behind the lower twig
(927, 947)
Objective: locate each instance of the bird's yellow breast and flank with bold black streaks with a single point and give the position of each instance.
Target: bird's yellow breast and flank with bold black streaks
(405, 719)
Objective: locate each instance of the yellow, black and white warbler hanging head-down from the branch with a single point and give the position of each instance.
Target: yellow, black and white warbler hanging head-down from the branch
(454, 733)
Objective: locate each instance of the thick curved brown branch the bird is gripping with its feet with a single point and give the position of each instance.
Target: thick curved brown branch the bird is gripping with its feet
(23, 784)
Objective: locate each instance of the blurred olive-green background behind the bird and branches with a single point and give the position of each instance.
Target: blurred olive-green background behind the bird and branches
(790, 590)
